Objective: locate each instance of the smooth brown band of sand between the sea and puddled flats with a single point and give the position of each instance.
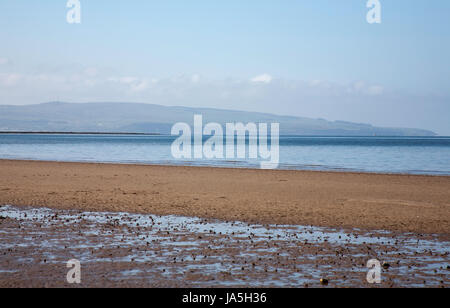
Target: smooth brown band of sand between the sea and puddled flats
(405, 203)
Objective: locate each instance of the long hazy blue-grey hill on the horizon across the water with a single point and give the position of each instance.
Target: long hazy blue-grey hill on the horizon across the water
(147, 118)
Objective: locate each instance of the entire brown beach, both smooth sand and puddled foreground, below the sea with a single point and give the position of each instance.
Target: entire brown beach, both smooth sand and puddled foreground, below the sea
(161, 226)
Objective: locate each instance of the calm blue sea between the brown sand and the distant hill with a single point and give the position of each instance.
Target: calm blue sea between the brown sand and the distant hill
(414, 155)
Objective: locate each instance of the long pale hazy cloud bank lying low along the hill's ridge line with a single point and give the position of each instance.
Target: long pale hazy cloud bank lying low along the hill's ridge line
(359, 101)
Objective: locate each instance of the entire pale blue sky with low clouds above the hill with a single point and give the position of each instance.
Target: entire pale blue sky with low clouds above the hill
(311, 58)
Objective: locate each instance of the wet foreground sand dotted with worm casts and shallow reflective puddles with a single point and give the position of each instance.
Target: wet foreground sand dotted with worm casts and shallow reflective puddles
(148, 250)
